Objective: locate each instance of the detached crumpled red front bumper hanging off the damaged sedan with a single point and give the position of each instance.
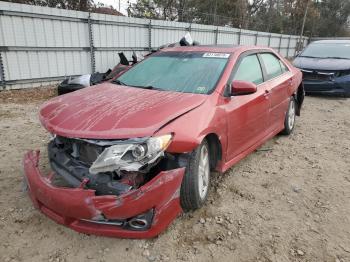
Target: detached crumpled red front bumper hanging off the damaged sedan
(73, 206)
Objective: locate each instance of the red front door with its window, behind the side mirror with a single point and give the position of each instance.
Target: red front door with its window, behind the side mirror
(247, 115)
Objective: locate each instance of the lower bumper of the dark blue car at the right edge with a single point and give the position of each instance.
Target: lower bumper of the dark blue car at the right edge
(327, 87)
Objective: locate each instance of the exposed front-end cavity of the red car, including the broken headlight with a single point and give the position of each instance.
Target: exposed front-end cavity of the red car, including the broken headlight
(108, 167)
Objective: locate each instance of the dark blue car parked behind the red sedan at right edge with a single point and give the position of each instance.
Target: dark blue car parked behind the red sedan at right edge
(326, 67)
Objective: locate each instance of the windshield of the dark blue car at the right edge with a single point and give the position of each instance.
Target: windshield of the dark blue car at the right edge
(327, 50)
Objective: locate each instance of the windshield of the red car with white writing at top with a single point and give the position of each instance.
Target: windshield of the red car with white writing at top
(187, 72)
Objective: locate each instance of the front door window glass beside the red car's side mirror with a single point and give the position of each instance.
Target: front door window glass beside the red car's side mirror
(249, 70)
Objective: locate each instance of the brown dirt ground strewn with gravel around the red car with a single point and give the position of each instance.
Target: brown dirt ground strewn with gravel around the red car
(288, 201)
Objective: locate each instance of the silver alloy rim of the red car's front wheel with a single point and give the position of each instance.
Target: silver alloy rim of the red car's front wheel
(203, 172)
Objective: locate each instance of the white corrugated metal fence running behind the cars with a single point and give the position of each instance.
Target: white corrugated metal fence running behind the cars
(41, 45)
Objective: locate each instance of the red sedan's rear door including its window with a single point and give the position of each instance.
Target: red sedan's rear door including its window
(278, 80)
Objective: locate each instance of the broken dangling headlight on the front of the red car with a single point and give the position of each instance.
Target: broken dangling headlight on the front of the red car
(130, 157)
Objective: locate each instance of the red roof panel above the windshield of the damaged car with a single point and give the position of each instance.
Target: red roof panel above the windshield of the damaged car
(213, 48)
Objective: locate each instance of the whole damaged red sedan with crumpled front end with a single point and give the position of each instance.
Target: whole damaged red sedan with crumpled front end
(128, 156)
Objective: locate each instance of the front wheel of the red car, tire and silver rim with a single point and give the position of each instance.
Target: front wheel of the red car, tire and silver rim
(196, 182)
